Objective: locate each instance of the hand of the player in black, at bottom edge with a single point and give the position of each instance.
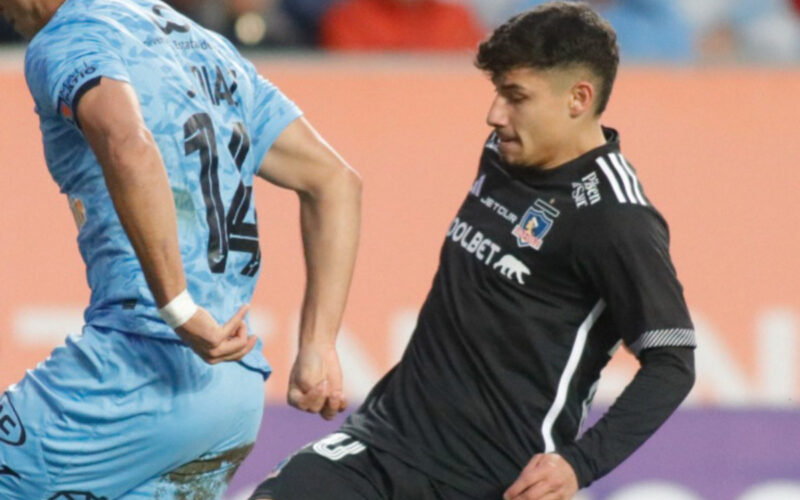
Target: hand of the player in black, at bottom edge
(546, 477)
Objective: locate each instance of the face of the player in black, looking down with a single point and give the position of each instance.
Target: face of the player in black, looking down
(531, 115)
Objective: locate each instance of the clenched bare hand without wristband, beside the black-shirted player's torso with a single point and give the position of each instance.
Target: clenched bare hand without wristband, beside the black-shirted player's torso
(315, 383)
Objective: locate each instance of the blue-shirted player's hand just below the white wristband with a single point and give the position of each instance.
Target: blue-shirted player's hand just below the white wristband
(216, 343)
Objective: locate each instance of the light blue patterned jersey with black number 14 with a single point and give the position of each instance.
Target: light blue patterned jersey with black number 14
(213, 118)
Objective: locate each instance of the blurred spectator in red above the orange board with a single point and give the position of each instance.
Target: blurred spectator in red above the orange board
(399, 25)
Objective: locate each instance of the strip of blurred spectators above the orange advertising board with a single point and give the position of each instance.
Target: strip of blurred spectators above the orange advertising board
(648, 30)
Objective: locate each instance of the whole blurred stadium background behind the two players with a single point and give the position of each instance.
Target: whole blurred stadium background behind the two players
(707, 105)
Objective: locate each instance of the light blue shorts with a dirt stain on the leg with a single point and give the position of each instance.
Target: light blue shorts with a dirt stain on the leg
(111, 415)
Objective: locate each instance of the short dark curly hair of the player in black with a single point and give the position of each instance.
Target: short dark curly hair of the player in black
(554, 35)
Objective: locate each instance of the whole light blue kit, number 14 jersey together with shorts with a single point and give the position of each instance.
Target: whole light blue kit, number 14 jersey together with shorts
(125, 410)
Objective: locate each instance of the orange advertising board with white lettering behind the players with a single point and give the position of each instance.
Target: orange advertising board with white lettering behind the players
(716, 150)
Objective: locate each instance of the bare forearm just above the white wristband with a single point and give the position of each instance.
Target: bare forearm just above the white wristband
(139, 187)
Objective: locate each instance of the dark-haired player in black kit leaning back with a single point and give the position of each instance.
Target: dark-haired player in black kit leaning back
(555, 258)
